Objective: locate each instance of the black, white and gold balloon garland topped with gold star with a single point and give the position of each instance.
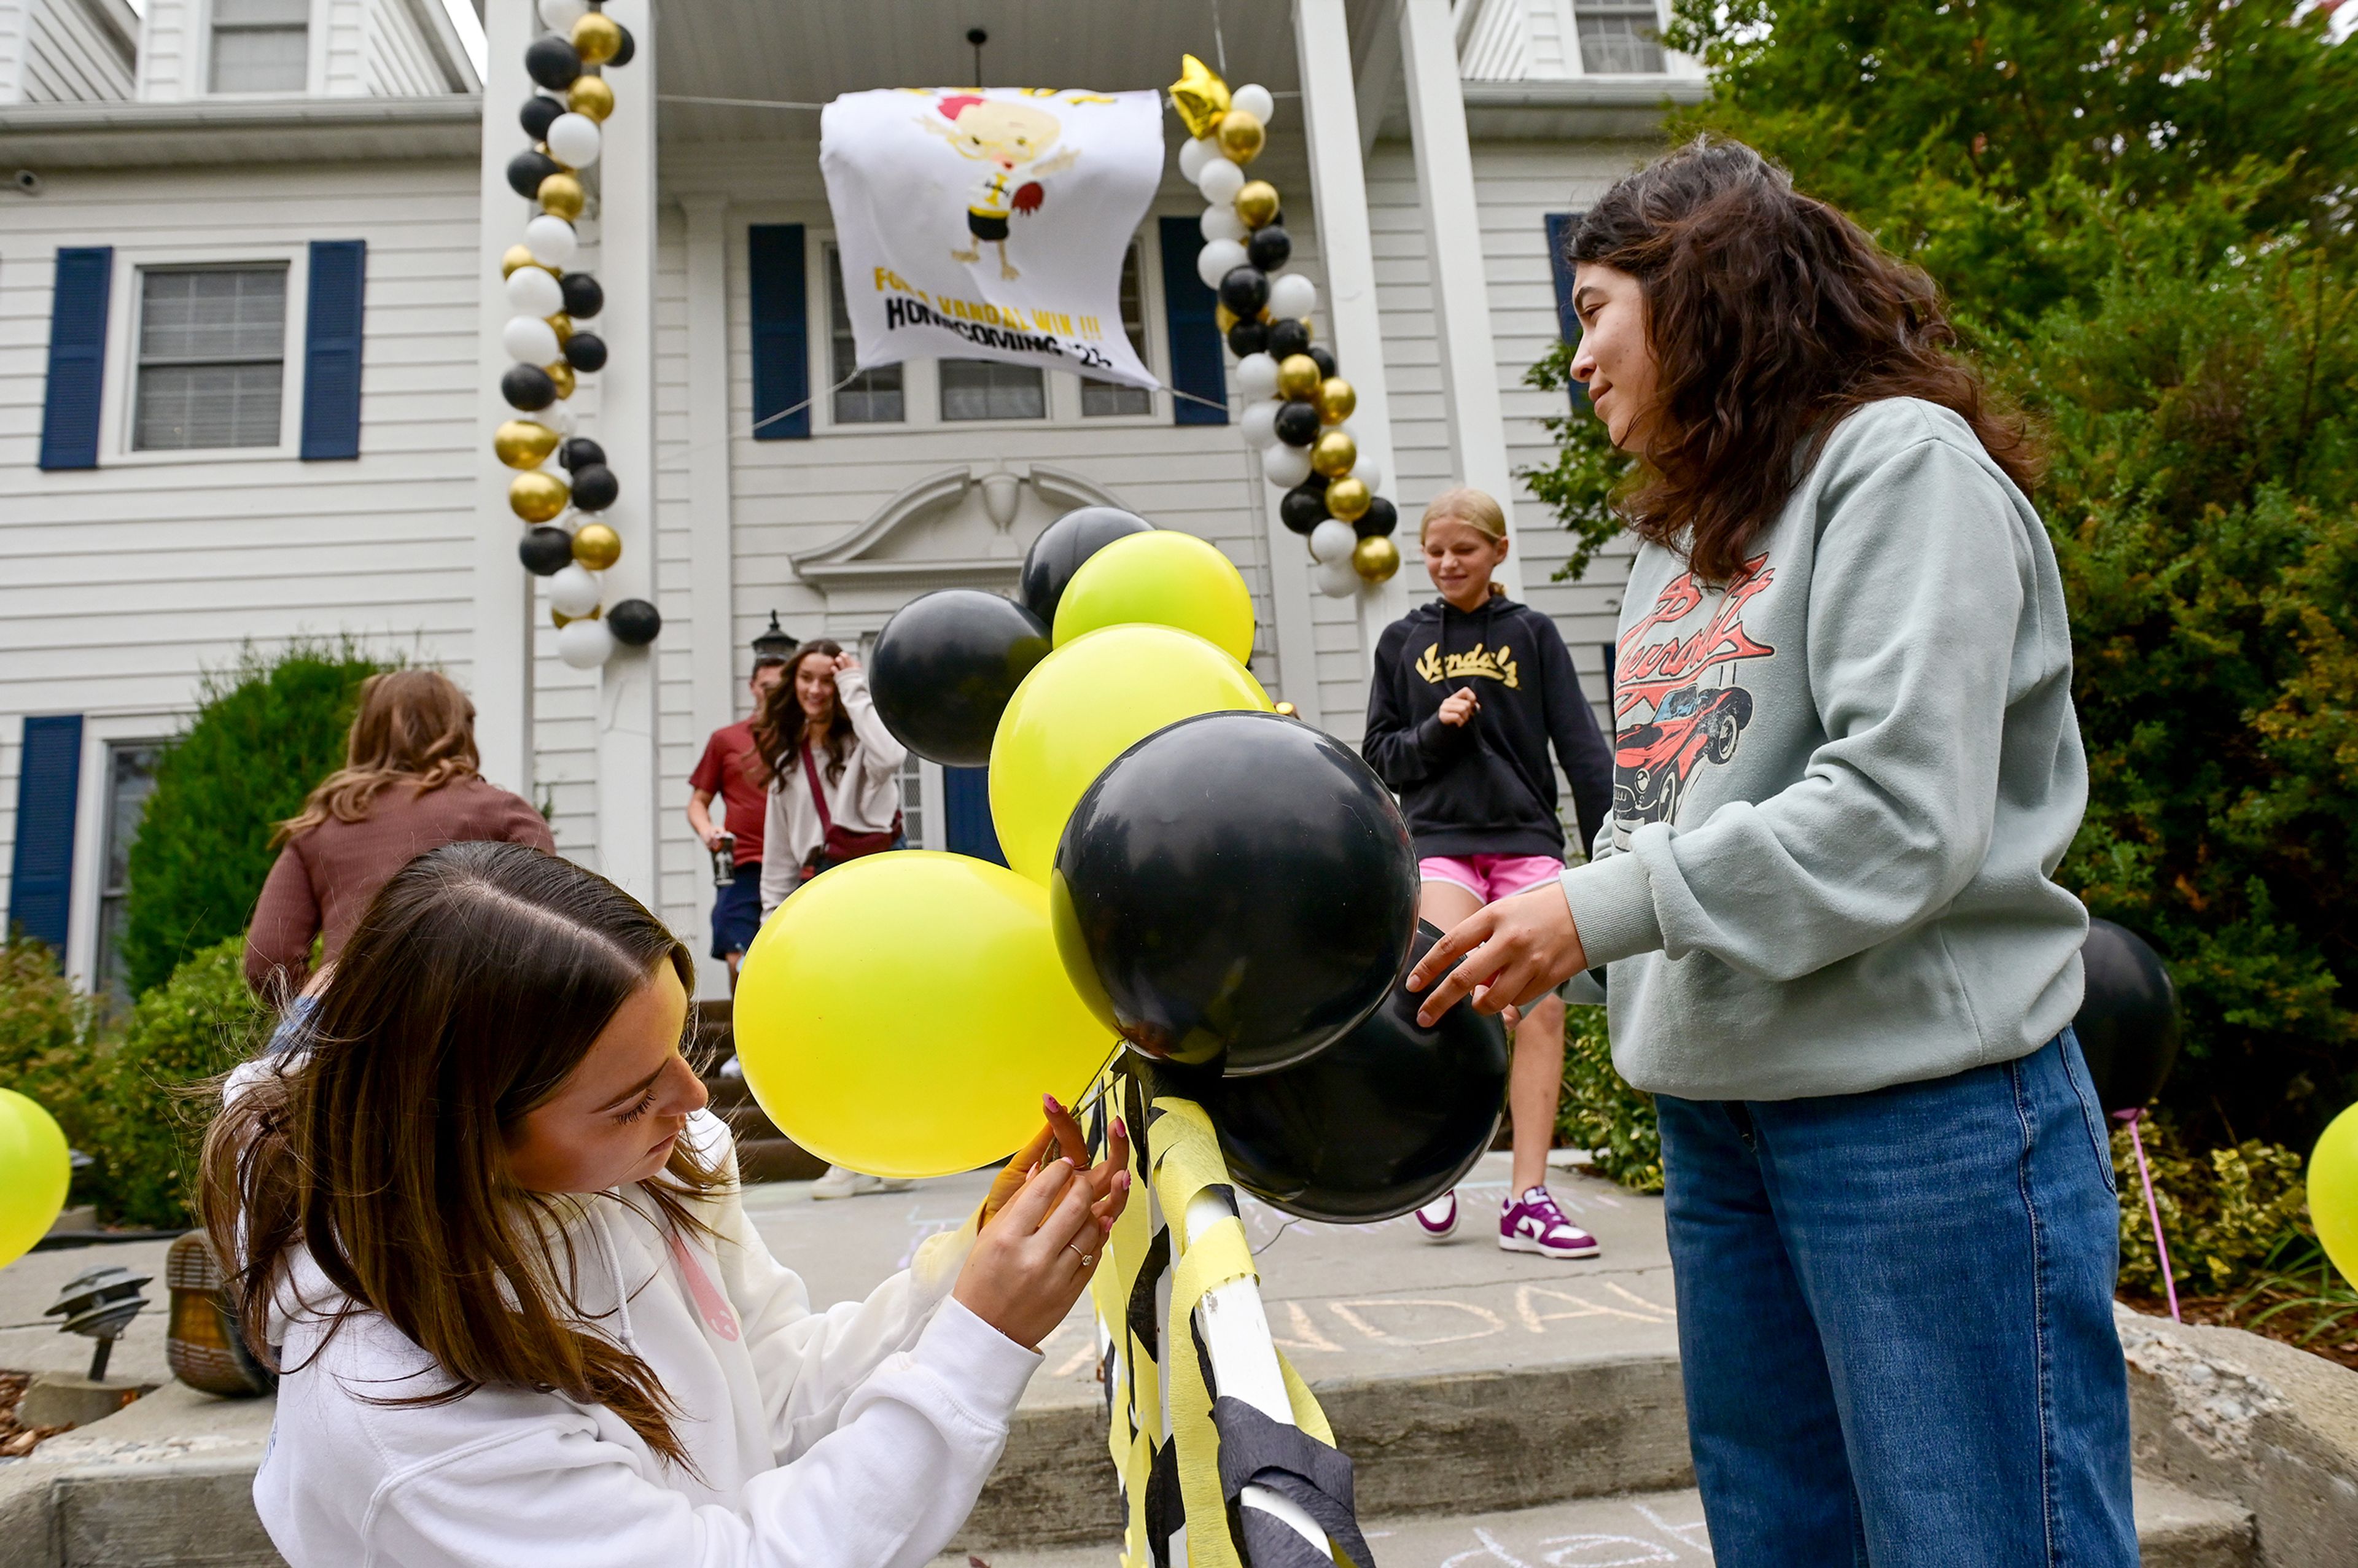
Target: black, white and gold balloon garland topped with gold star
(1296, 402)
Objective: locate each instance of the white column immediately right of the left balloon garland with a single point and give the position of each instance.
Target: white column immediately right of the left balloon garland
(626, 428)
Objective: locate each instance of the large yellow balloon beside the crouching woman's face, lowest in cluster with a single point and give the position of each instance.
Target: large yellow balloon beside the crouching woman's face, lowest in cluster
(843, 1001)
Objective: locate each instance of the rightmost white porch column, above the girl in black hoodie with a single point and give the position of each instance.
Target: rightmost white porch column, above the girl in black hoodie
(1437, 119)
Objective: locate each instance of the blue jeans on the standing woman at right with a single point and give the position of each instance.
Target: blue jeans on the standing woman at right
(1897, 1322)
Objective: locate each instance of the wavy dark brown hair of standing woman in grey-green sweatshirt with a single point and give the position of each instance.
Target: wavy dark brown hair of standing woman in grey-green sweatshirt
(1772, 317)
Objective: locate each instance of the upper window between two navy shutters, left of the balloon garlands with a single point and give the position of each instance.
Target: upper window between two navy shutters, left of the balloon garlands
(211, 357)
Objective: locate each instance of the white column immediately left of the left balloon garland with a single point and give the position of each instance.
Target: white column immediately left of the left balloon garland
(501, 678)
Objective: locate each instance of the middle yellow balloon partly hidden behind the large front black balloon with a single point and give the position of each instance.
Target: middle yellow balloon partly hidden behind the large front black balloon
(1088, 704)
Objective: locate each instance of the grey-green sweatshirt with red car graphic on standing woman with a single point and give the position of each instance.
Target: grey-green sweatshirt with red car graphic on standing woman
(1843, 784)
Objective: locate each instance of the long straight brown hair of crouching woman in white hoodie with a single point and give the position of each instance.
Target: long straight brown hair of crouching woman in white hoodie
(470, 991)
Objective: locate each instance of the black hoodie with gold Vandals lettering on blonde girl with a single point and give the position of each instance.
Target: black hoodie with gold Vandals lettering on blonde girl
(1484, 786)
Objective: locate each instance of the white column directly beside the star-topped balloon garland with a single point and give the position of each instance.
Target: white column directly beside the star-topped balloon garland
(1341, 197)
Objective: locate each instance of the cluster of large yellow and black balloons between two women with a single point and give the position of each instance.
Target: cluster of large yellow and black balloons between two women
(1190, 871)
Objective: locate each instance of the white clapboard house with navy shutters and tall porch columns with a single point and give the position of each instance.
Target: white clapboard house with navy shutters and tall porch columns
(251, 341)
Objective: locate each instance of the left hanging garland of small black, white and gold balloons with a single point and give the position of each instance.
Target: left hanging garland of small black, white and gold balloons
(562, 482)
